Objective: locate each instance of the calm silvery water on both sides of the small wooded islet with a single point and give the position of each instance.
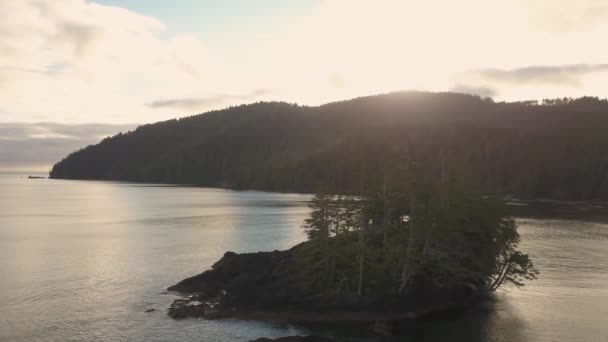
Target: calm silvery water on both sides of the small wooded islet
(82, 261)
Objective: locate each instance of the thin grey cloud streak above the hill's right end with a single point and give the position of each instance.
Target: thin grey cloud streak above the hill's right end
(562, 74)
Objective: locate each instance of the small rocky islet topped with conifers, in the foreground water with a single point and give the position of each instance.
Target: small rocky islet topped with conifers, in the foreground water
(419, 242)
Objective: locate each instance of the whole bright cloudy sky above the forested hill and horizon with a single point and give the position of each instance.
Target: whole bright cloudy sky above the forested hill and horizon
(75, 71)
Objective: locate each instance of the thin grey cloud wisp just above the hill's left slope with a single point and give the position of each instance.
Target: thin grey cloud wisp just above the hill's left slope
(194, 103)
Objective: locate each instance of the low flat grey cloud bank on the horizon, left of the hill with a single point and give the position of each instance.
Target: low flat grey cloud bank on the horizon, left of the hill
(36, 147)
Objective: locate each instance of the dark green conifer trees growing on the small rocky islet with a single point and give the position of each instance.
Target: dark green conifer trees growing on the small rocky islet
(445, 231)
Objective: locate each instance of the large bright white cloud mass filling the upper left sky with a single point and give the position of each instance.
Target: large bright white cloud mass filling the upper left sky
(73, 61)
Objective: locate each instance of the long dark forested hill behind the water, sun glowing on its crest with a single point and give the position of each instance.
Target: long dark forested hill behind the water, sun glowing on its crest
(550, 149)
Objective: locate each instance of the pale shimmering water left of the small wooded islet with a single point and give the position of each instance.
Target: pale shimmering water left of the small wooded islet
(84, 260)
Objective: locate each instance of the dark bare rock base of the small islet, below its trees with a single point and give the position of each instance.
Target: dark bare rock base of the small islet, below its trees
(268, 286)
